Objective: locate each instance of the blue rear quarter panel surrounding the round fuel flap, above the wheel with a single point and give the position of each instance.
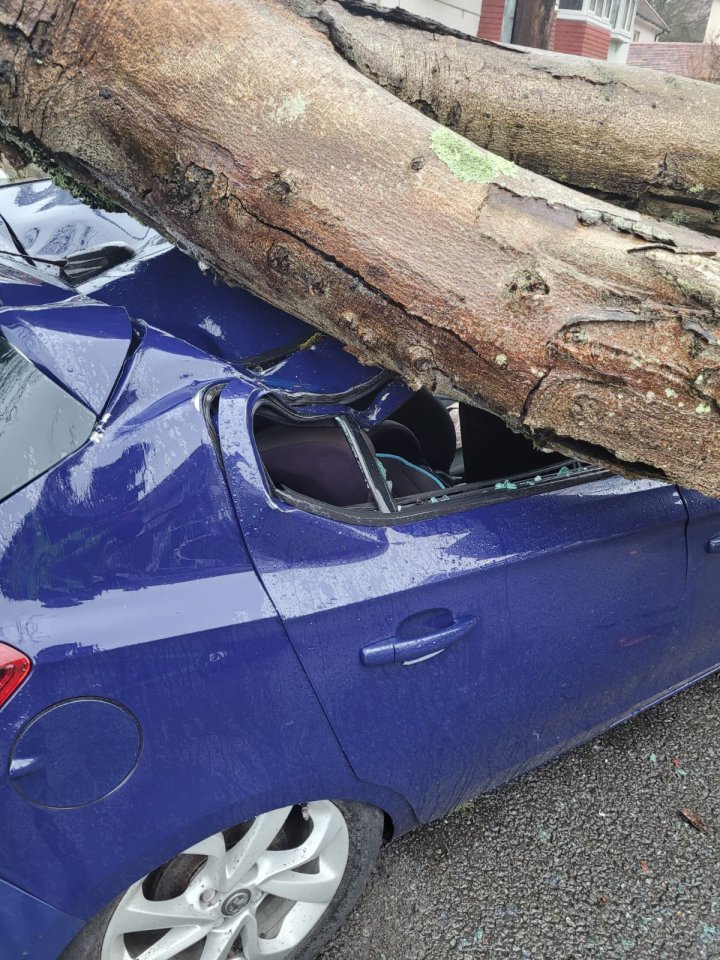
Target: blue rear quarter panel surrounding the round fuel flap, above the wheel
(124, 577)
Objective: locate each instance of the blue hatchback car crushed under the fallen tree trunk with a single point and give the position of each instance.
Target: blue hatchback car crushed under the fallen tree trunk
(263, 607)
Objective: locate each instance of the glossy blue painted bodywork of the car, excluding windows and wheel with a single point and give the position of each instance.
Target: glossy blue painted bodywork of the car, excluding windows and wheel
(267, 654)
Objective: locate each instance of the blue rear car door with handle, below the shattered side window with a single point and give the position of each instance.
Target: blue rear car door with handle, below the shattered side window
(453, 650)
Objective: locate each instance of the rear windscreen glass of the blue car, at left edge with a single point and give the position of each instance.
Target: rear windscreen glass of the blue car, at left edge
(40, 423)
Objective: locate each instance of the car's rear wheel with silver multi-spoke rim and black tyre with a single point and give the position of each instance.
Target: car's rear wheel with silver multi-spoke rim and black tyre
(200, 905)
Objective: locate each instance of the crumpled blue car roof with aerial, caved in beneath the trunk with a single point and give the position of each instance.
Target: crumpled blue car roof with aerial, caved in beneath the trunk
(48, 236)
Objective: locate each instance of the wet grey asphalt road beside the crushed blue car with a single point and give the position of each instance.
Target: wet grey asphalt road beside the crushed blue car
(586, 857)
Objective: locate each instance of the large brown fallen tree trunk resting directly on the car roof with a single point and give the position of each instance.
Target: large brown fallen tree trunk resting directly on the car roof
(238, 131)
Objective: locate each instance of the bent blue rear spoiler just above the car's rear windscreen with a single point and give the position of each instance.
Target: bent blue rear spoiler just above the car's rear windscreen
(79, 344)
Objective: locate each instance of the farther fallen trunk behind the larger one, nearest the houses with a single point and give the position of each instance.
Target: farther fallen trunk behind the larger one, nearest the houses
(638, 134)
